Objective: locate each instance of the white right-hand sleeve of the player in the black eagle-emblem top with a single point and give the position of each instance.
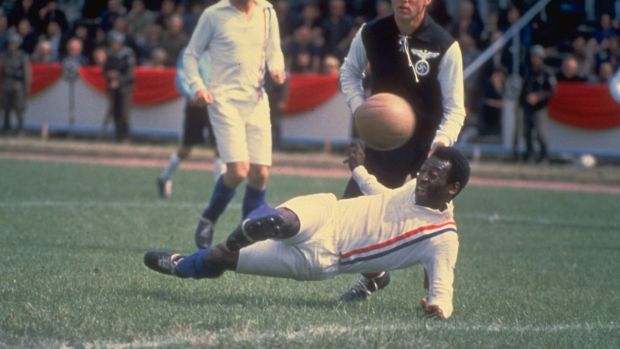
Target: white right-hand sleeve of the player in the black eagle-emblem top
(452, 92)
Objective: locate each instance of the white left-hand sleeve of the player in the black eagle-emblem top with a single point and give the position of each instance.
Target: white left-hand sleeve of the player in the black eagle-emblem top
(352, 72)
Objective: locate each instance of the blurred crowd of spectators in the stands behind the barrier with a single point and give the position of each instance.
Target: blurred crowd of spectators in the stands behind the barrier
(580, 37)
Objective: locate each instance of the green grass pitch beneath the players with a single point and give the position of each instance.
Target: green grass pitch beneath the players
(537, 269)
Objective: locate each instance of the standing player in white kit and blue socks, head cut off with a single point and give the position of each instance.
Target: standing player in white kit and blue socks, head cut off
(243, 40)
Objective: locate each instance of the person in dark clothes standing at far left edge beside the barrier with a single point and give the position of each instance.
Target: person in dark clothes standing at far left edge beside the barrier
(15, 75)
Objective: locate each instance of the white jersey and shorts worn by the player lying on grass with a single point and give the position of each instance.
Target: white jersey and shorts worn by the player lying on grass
(372, 233)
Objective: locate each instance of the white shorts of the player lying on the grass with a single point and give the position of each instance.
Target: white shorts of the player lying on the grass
(309, 255)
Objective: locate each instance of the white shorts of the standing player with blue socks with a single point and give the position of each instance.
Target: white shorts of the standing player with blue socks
(242, 130)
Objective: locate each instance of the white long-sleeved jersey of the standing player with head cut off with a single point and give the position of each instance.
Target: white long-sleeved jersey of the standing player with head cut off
(239, 47)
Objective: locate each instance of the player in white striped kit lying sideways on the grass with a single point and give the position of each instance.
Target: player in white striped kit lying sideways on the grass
(316, 237)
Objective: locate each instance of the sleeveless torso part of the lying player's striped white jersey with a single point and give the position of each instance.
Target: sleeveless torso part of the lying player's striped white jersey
(375, 232)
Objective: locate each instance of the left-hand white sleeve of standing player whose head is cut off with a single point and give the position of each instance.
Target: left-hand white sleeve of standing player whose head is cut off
(199, 42)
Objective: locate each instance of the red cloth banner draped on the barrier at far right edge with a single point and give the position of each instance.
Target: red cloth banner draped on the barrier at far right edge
(583, 105)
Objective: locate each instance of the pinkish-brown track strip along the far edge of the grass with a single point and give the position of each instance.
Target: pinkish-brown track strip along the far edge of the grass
(302, 171)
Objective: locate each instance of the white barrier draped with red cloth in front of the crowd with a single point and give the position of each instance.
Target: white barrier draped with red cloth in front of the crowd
(583, 118)
